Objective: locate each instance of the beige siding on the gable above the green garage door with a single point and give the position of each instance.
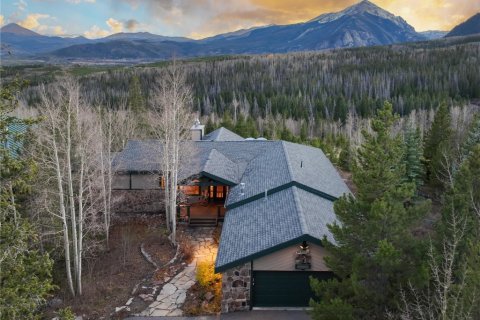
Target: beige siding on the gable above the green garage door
(284, 259)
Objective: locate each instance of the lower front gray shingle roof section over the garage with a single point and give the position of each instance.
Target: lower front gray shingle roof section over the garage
(268, 222)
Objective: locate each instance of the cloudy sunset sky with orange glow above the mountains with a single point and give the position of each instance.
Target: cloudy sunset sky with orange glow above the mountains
(202, 18)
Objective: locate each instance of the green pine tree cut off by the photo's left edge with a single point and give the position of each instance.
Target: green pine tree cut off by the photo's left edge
(25, 273)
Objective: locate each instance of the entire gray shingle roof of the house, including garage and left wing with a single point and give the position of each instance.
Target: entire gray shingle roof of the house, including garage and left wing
(300, 181)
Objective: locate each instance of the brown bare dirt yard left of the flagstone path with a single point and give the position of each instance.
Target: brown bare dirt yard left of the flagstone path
(110, 277)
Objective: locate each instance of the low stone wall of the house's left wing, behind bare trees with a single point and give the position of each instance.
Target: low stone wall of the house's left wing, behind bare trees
(137, 201)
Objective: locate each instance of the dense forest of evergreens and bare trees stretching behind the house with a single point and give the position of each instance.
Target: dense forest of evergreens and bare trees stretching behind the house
(321, 98)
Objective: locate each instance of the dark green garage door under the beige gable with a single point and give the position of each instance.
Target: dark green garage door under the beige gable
(283, 288)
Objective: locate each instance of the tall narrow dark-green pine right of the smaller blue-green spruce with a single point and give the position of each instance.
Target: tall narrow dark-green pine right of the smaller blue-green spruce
(437, 144)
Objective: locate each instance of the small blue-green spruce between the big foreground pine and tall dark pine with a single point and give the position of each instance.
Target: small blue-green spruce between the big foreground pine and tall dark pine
(413, 156)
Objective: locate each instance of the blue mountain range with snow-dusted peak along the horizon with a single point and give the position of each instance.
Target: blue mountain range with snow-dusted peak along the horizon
(363, 24)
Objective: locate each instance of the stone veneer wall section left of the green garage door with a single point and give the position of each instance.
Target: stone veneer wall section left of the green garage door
(236, 288)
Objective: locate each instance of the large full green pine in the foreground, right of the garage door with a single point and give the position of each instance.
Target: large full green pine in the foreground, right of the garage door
(375, 253)
